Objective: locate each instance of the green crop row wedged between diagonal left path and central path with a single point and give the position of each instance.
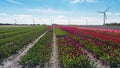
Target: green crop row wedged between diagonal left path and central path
(39, 54)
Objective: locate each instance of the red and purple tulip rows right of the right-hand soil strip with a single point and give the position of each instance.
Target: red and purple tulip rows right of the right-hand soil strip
(104, 46)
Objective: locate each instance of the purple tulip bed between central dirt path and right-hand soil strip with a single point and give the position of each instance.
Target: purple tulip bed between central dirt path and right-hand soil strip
(70, 52)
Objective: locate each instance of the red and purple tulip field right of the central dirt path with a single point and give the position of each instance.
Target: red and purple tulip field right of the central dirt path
(103, 44)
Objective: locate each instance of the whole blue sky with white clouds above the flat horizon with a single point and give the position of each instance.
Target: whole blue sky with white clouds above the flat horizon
(77, 12)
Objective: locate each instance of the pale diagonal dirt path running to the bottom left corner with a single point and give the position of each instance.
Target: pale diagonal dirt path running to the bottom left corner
(12, 61)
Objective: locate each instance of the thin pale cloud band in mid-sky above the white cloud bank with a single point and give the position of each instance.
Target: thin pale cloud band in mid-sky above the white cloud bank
(49, 12)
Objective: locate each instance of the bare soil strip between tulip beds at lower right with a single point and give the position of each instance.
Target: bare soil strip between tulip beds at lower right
(97, 63)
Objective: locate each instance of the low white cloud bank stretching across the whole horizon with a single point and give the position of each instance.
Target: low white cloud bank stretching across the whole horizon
(58, 19)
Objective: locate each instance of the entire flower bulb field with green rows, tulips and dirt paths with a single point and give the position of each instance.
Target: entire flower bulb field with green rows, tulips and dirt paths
(59, 47)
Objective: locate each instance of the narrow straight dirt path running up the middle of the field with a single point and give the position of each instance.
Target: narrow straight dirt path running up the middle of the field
(54, 60)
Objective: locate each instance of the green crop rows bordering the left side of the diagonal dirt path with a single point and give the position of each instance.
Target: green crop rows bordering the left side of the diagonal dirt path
(13, 44)
